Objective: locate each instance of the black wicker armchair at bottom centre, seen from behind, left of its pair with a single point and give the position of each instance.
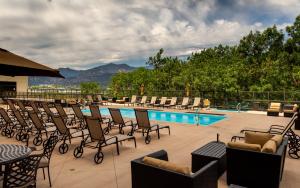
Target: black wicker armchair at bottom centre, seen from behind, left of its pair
(153, 176)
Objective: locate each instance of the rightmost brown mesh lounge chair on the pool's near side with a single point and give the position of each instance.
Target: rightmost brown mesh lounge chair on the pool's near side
(143, 124)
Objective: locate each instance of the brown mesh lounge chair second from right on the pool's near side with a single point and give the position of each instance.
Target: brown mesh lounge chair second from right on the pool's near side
(117, 120)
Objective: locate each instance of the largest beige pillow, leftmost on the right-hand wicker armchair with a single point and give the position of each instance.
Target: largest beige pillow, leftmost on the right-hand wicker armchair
(257, 138)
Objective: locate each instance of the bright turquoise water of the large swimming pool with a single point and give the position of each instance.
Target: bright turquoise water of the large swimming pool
(175, 117)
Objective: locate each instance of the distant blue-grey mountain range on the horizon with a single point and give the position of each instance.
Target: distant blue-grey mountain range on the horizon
(101, 74)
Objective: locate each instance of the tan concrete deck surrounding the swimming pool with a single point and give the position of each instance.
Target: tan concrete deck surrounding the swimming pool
(114, 172)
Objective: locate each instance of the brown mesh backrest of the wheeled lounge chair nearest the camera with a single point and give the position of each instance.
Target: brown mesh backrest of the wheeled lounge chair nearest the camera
(95, 128)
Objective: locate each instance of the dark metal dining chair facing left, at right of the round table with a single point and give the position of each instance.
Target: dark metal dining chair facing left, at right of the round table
(46, 153)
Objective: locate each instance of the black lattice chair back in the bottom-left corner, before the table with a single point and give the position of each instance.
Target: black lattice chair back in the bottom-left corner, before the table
(21, 173)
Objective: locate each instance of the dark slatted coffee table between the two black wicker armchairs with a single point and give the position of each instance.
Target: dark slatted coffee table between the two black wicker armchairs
(212, 151)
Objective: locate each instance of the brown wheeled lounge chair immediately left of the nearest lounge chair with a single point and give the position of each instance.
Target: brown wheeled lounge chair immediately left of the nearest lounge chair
(66, 133)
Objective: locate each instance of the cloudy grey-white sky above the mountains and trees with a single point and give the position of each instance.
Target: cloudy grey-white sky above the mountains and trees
(84, 33)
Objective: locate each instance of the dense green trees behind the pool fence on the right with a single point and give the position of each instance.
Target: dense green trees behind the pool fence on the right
(262, 61)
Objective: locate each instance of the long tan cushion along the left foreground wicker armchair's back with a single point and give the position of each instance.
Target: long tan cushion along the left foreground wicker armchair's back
(166, 165)
